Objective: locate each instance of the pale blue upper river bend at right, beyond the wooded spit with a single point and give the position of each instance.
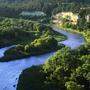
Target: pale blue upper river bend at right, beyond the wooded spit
(74, 40)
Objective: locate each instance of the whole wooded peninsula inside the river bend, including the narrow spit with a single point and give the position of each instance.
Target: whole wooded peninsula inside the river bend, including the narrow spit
(30, 38)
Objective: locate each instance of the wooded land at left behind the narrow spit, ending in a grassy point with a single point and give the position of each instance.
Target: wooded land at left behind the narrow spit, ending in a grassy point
(19, 31)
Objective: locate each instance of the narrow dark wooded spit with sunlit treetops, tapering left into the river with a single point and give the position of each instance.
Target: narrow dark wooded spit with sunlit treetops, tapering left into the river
(37, 47)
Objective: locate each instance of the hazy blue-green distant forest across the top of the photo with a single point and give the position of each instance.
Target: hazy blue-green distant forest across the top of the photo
(12, 8)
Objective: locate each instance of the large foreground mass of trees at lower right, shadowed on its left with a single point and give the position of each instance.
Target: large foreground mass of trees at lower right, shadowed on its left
(66, 70)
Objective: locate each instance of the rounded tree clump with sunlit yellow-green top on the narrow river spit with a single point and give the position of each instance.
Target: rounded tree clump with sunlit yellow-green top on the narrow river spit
(41, 45)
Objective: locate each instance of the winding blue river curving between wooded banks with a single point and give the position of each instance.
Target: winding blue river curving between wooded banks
(10, 71)
